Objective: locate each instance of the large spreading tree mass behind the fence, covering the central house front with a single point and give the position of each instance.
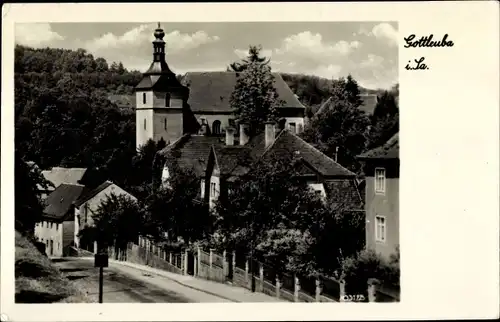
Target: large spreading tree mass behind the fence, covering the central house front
(274, 215)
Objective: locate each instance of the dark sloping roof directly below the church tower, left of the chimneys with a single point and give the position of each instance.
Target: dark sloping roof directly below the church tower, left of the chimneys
(191, 151)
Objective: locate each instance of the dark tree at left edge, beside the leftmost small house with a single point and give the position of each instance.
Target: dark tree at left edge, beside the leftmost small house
(28, 203)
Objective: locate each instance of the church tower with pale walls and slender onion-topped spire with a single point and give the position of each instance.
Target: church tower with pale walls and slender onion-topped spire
(161, 100)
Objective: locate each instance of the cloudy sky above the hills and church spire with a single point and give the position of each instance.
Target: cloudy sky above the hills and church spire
(366, 50)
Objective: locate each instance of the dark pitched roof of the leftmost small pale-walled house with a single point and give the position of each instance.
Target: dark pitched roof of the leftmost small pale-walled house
(60, 201)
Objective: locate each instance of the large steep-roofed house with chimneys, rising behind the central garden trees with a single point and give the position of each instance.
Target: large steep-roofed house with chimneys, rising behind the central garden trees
(228, 162)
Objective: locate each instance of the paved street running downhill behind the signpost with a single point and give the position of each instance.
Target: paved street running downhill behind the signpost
(124, 284)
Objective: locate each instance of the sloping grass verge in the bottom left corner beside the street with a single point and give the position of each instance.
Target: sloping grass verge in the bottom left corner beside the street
(38, 280)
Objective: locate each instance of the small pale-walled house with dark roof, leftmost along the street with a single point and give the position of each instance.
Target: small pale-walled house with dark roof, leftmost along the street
(56, 229)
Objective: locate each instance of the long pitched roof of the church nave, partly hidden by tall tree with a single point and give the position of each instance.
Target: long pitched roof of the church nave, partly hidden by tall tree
(211, 91)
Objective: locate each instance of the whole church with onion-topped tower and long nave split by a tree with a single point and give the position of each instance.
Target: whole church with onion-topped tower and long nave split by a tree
(169, 108)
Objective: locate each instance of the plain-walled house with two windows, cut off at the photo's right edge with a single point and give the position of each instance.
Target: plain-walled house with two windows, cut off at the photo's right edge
(382, 197)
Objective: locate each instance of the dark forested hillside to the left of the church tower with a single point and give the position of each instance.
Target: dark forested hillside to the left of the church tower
(63, 115)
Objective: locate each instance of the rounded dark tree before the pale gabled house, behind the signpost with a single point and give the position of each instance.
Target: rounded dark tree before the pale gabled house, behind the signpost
(118, 220)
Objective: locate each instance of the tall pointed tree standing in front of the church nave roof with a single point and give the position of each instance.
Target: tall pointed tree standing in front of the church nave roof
(254, 98)
